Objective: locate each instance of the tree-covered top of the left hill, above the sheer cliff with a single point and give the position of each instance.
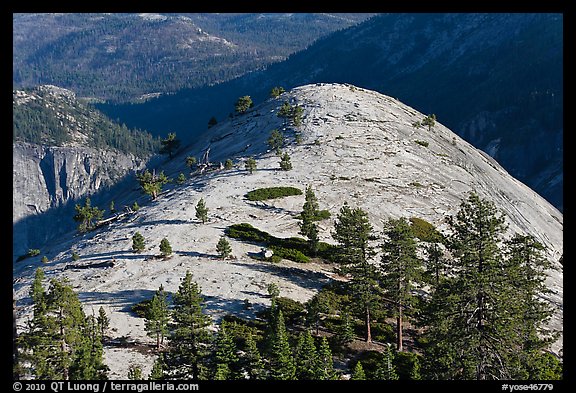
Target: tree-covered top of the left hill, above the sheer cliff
(50, 120)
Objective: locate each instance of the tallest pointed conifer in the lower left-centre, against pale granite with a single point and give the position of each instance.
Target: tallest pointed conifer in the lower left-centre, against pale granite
(187, 352)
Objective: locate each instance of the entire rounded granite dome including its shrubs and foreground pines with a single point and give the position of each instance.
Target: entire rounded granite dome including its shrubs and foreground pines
(331, 232)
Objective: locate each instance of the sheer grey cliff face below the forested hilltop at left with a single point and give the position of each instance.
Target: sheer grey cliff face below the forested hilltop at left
(47, 181)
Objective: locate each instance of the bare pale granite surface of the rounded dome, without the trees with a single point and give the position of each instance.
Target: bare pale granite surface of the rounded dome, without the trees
(358, 146)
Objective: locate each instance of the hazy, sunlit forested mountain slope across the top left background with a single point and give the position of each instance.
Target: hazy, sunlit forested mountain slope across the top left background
(129, 56)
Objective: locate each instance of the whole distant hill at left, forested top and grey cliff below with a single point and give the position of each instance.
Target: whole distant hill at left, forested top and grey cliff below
(64, 149)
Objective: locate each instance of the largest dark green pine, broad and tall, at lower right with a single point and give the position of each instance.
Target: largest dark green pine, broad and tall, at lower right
(477, 322)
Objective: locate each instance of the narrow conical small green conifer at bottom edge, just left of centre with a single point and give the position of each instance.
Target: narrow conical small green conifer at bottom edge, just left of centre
(282, 365)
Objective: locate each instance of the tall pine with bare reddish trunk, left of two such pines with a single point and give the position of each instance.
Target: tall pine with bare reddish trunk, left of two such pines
(352, 231)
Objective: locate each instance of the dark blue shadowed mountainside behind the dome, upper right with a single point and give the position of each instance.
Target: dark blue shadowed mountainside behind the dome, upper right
(495, 79)
